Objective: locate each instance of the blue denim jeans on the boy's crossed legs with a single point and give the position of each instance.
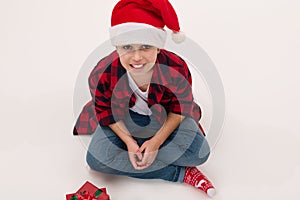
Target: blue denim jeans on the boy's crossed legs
(186, 146)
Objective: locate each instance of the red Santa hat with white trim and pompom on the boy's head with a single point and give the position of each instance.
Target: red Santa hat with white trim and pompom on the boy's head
(142, 22)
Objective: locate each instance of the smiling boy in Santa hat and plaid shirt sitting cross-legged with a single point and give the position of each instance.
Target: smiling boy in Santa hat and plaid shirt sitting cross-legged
(142, 114)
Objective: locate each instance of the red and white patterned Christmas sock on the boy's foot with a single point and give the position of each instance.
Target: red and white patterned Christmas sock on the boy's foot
(194, 177)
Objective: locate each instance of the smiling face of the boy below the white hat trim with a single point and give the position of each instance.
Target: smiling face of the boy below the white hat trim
(137, 58)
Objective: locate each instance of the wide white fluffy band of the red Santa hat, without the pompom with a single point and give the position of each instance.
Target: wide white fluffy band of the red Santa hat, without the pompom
(137, 33)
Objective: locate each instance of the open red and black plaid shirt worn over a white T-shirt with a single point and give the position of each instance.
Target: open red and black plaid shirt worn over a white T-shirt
(170, 91)
